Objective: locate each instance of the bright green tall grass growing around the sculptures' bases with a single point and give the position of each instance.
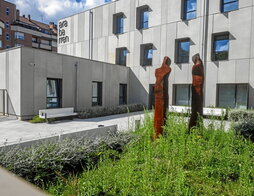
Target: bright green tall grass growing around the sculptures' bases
(204, 162)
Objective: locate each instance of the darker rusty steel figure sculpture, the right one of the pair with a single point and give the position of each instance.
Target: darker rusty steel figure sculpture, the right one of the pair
(197, 90)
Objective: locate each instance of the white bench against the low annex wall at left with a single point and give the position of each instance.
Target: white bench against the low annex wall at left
(57, 113)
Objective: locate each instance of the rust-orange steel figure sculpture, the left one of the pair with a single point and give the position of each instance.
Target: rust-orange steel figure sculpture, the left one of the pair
(161, 96)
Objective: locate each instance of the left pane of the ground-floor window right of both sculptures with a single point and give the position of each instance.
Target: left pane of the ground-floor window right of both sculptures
(227, 96)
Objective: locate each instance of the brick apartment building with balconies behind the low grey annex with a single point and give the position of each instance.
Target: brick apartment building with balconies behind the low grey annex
(24, 31)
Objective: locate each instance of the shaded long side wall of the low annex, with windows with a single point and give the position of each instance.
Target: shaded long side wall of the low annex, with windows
(38, 65)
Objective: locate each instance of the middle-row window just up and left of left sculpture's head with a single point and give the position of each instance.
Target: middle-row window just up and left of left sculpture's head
(146, 56)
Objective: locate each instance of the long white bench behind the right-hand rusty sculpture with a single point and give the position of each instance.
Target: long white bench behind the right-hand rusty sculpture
(206, 111)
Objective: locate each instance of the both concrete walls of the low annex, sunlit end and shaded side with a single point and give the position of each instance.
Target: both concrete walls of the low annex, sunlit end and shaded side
(24, 72)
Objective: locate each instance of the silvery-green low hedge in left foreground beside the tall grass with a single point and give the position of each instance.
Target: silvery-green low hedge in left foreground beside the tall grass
(45, 162)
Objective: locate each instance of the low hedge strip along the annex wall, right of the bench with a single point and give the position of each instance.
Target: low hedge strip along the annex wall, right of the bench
(106, 111)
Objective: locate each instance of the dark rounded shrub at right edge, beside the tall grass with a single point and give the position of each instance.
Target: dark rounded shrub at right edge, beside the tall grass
(246, 128)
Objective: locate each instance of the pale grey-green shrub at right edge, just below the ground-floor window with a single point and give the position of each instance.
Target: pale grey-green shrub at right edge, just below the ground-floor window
(241, 115)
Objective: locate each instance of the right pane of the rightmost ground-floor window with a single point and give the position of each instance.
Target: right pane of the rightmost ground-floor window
(242, 96)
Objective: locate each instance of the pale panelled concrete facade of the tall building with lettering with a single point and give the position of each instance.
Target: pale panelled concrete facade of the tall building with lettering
(95, 40)
